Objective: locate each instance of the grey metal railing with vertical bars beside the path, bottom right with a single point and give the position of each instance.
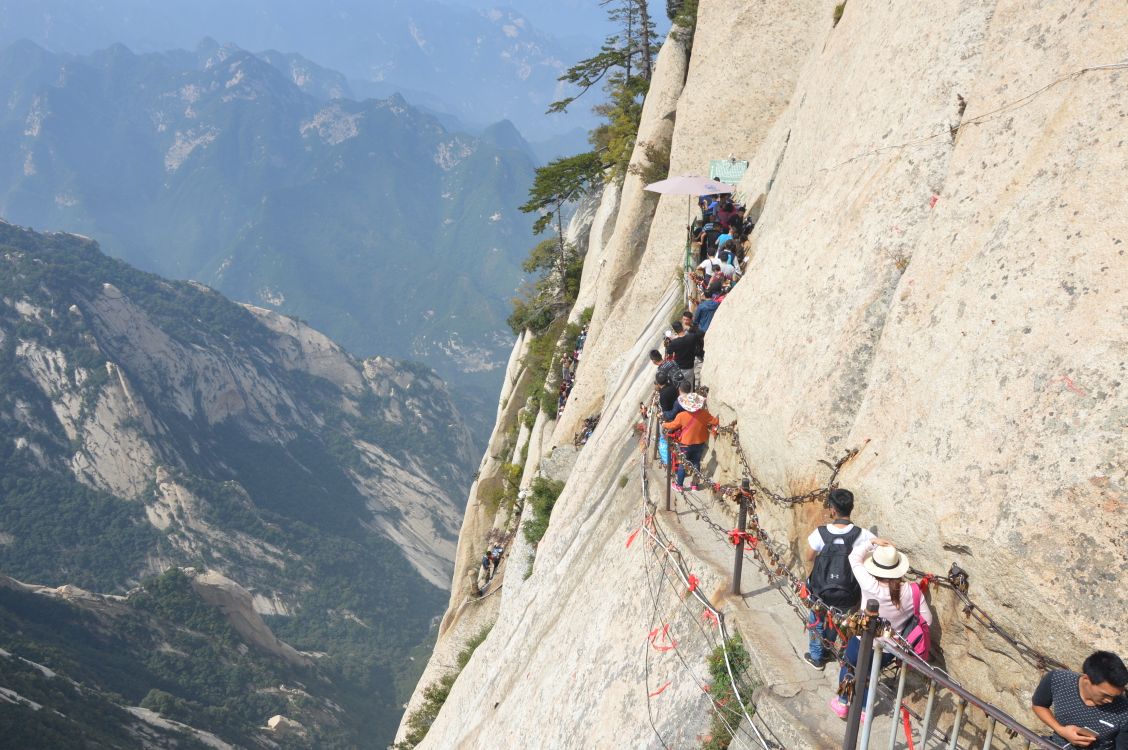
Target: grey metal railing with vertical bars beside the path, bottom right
(860, 728)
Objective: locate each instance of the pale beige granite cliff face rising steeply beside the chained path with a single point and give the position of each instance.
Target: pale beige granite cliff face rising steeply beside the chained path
(937, 280)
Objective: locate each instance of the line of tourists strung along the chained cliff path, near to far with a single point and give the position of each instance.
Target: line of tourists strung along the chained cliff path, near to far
(850, 564)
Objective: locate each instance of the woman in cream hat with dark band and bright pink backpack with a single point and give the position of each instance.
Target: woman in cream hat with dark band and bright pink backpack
(879, 569)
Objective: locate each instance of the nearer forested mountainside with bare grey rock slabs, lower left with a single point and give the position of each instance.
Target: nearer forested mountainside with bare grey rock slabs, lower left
(148, 426)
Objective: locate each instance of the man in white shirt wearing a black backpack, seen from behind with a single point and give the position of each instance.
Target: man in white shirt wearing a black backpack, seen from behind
(832, 581)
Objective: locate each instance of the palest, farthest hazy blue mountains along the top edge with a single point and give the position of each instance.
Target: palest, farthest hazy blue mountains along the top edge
(481, 64)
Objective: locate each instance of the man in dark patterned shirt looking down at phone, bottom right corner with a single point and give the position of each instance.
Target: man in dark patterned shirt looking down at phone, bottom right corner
(1087, 710)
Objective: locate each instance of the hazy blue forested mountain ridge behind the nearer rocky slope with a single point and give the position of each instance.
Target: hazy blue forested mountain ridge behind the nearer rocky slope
(368, 219)
